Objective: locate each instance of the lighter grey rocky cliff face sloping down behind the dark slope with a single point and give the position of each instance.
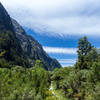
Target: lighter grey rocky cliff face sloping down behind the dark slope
(33, 49)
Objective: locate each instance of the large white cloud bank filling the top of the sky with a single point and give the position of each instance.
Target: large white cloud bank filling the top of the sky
(57, 17)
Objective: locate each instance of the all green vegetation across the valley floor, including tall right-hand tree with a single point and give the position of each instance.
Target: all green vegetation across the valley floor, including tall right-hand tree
(80, 82)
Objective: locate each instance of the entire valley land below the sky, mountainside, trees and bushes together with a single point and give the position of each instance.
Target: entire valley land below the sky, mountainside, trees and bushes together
(27, 72)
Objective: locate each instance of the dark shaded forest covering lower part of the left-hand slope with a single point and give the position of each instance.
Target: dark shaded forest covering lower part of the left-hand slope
(10, 50)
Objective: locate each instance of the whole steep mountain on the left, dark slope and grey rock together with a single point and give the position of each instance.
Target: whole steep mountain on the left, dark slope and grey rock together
(22, 49)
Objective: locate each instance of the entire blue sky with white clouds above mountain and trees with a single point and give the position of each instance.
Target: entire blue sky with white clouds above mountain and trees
(58, 24)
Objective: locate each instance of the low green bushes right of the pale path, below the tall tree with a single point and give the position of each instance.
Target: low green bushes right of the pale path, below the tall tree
(82, 84)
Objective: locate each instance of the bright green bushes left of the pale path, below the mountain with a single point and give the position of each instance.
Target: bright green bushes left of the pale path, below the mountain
(21, 83)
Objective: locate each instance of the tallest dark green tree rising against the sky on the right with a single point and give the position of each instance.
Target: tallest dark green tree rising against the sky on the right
(84, 48)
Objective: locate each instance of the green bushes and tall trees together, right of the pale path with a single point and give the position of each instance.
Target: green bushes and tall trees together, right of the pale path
(81, 82)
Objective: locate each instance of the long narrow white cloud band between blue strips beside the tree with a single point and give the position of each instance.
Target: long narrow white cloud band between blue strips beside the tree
(57, 50)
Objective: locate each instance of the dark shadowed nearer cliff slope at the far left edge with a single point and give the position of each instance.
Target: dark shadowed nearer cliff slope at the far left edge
(8, 41)
